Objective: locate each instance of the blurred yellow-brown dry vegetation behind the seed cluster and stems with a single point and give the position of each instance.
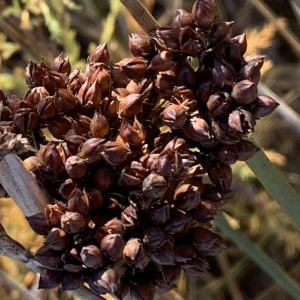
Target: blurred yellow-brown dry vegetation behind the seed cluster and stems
(35, 29)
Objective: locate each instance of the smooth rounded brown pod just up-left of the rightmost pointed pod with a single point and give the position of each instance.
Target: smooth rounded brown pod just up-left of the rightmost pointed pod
(244, 92)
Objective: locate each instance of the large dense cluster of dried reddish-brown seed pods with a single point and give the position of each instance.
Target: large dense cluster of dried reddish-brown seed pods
(130, 210)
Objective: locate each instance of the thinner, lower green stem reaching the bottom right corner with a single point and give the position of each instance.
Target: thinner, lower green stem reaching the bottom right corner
(261, 258)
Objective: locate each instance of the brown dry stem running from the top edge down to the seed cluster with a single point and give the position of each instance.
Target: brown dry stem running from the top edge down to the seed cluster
(140, 14)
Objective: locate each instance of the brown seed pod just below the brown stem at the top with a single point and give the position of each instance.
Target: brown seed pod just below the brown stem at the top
(141, 45)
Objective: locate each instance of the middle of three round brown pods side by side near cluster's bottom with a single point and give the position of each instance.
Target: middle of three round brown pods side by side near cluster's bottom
(112, 246)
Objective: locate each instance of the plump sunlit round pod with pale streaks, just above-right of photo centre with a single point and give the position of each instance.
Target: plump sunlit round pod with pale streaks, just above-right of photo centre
(174, 116)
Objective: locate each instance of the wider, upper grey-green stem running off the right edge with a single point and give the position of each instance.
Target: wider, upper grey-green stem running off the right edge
(276, 185)
